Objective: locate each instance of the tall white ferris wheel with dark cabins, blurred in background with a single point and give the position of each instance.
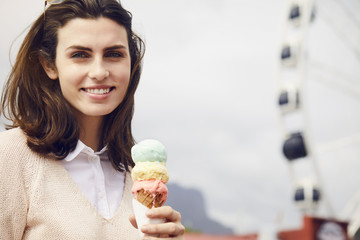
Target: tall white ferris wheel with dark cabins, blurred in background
(299, 147)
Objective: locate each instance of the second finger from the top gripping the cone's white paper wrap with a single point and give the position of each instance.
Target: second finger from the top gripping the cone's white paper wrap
(166, 229)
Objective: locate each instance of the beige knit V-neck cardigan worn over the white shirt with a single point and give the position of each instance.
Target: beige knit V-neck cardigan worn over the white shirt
(39, 200)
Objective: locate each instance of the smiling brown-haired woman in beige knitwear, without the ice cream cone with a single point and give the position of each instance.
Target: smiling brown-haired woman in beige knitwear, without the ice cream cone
(70, 96)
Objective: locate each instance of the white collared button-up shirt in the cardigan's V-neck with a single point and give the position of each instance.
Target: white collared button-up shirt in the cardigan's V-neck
(96, 177)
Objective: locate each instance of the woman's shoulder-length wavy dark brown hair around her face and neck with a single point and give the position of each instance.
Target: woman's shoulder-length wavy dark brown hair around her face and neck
(34, 102)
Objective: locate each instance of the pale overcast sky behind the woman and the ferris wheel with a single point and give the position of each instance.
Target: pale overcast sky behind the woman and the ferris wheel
(209, 92)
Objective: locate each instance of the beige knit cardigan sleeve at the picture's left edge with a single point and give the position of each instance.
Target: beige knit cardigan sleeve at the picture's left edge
(13, 193)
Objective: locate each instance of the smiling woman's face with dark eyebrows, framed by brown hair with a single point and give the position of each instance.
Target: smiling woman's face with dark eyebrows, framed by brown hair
(93, 65)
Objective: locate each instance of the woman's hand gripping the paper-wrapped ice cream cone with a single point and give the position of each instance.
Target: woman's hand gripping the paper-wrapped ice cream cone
(171, 229)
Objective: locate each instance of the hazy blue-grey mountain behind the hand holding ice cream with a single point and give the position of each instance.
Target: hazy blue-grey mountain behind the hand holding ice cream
(191, 204)
